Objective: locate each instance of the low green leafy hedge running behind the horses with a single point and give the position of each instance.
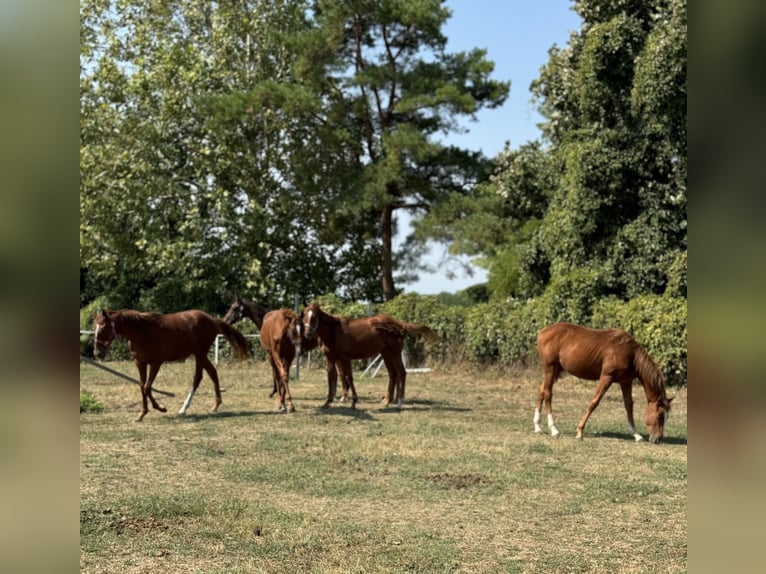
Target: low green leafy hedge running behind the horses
(504, 334)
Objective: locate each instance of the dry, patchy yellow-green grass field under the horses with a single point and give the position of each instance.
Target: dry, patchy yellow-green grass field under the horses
(455, 482)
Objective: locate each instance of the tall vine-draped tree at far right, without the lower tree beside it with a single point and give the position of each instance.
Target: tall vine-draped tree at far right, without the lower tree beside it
(615, 107)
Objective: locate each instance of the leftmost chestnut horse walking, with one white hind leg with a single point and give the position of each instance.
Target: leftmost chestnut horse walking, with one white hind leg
(154, 338)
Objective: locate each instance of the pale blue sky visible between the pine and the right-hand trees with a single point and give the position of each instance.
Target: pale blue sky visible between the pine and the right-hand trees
(517, 35)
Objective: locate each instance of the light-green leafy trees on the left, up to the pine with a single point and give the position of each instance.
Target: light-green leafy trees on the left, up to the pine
(179, 206)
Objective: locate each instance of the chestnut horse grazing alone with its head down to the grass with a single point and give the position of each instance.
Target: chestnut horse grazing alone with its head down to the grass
(608, 356)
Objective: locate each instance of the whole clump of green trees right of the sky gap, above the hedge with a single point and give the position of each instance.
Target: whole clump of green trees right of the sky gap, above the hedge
(605, 197)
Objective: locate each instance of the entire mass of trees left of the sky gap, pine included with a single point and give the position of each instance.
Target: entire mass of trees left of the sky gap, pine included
(239, 148)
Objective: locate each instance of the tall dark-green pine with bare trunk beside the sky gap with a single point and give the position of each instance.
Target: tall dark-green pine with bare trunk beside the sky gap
(386, 89)
